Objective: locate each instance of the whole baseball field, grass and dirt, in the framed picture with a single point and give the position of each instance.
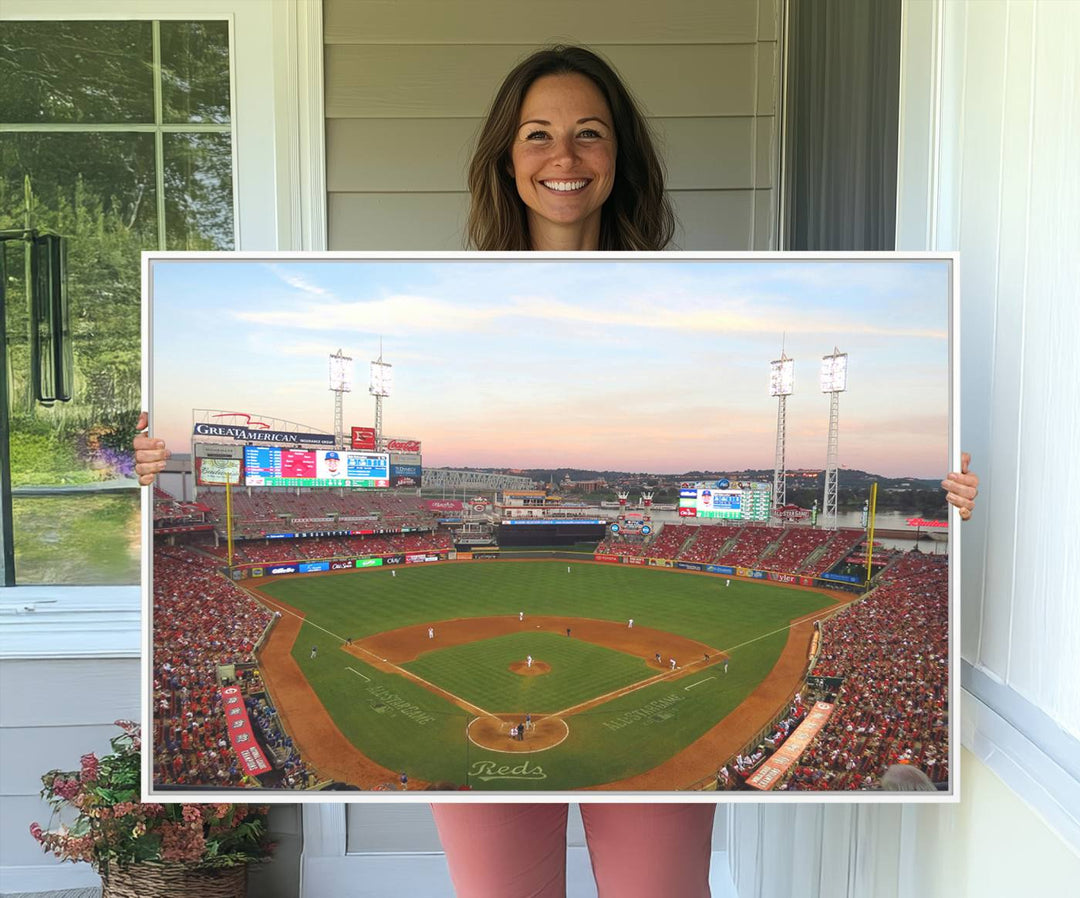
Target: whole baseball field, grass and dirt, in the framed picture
(426, 671)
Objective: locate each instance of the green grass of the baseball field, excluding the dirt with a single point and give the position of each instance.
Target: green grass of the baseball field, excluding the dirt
(406, 727)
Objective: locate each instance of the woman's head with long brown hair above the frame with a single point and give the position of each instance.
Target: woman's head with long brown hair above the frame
(565, 162)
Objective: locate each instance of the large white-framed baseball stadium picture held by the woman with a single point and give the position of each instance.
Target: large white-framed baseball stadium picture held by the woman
(661, 525)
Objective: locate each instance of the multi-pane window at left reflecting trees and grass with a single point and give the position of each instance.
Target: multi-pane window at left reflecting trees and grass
(117, 136)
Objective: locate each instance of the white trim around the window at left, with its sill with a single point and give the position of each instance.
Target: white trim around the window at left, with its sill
(281, 199)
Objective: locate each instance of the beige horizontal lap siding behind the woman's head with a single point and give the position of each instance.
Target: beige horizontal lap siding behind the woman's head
(408, 85)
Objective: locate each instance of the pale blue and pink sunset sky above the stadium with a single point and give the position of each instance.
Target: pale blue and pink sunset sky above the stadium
(657, 366)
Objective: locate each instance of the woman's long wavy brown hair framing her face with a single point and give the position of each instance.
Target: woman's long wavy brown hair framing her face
(637, 216)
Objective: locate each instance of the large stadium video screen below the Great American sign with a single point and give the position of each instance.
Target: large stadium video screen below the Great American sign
(271, 466)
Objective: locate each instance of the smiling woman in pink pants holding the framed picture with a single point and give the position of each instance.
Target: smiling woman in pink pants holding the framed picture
(565, 163)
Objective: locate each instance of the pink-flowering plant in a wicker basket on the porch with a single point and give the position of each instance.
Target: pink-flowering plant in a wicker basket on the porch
(166, 851)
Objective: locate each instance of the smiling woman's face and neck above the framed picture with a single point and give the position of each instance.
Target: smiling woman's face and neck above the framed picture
(563, 160)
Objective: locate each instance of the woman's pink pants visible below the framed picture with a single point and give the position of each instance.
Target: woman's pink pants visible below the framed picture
(519, 851)
